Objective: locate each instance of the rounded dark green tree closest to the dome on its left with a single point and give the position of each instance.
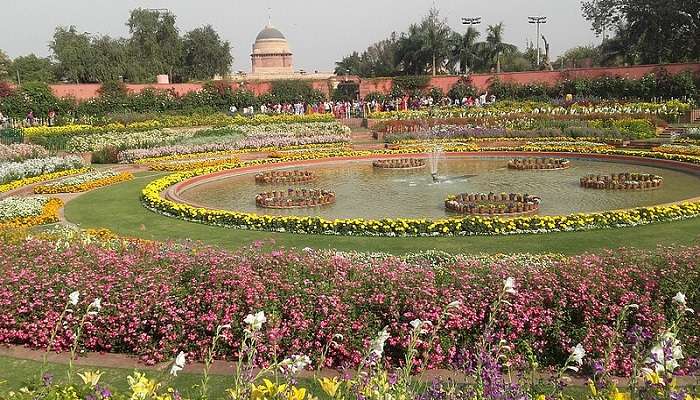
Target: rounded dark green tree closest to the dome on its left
(206, 54)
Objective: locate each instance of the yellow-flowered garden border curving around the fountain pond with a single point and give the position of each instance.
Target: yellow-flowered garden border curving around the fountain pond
(158, 197)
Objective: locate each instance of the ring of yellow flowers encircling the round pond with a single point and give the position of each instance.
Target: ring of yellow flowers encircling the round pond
(459, 226)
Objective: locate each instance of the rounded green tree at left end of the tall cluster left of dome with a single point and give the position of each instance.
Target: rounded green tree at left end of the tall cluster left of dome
(74, 55)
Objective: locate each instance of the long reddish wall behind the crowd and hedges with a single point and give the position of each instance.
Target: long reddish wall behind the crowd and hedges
(384, 85)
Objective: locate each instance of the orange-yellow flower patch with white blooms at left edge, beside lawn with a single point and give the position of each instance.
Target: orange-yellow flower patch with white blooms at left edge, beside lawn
(23, 212)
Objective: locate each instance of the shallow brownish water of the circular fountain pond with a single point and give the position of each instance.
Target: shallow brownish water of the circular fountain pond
(363, 191)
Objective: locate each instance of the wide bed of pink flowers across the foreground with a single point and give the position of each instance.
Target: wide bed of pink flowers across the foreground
(159, 299)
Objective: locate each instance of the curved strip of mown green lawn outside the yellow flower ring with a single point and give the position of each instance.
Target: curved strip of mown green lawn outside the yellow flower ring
(119, 209)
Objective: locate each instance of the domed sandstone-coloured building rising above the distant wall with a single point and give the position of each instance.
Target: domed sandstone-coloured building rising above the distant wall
(271, 54)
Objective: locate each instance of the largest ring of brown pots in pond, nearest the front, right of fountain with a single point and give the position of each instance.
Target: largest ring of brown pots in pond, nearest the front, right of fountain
(512, 204)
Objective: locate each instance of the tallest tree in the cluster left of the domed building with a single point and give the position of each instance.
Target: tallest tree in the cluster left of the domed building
(155, 43)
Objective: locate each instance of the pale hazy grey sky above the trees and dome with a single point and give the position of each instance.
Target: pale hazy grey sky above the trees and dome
(319, 32)
